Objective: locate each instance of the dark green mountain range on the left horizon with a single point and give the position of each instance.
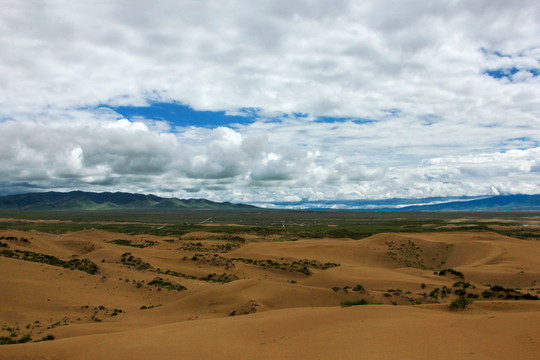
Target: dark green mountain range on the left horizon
(80, 200)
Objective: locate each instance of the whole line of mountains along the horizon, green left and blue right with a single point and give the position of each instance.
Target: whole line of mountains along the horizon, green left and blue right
(107, 201)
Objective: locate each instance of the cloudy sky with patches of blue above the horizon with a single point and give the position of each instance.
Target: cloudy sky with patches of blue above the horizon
(271, 100)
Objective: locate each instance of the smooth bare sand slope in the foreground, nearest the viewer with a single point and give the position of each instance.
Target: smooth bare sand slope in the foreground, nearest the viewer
(369, 332)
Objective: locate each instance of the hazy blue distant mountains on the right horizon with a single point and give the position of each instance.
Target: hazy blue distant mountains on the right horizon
(464, 203)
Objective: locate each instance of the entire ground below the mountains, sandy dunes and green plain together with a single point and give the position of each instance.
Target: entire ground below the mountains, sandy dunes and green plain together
(262, 285)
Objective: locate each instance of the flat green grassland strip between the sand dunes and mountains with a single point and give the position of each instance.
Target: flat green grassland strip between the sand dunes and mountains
(293, 224)
